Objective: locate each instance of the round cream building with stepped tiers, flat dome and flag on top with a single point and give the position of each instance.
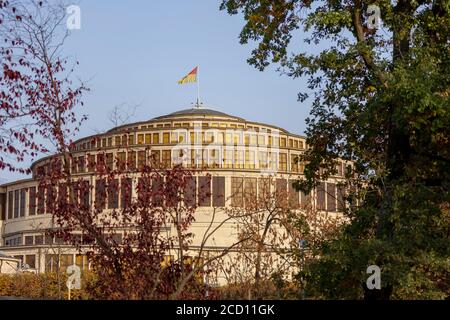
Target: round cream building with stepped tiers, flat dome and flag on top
(234, 152)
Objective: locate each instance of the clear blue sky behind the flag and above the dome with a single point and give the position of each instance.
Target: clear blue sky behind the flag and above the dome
(135, 51)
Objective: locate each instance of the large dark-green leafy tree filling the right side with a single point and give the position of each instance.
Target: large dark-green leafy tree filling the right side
(381, 100)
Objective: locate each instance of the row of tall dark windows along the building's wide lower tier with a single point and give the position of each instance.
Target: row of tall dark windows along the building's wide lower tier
(200, 191)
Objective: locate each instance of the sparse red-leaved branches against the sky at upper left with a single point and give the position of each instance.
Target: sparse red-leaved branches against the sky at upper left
(39, 94)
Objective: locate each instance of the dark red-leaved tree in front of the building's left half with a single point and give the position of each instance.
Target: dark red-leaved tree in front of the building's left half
(140, 244)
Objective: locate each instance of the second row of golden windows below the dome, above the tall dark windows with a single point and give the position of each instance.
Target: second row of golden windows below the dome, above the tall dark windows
(194, 158)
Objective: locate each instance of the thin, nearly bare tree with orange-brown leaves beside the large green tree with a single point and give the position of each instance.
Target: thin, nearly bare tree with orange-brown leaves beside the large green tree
(272, 224)
